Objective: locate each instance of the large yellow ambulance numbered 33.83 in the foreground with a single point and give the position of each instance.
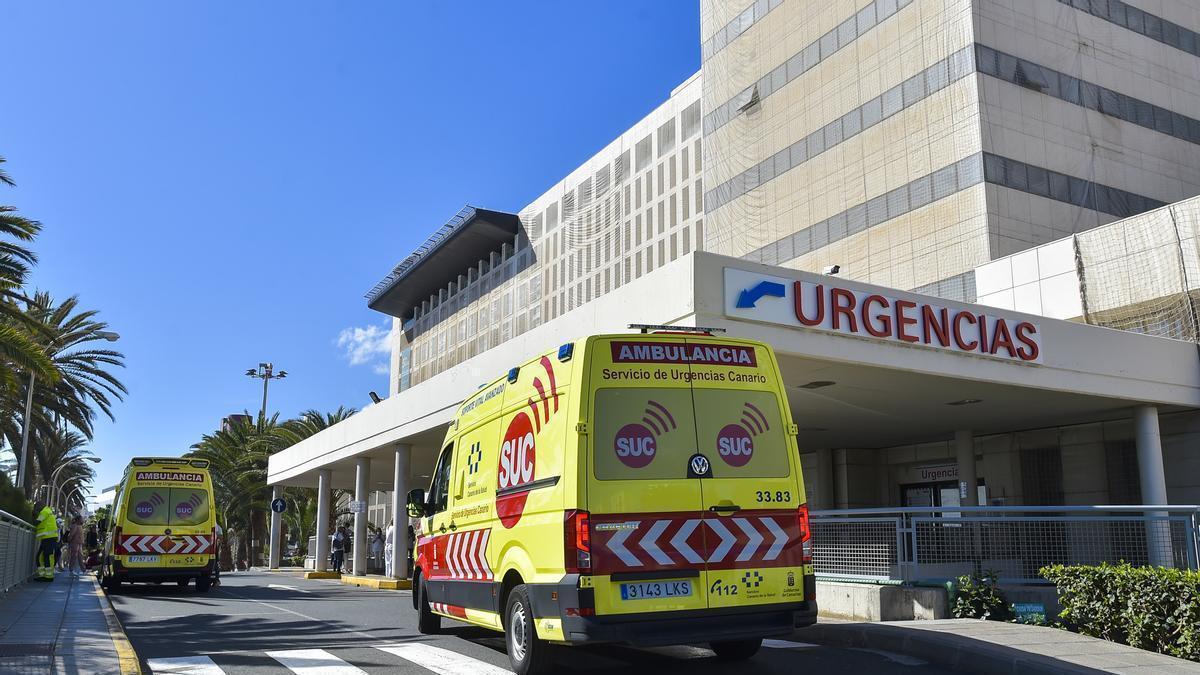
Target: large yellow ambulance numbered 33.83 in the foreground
(641, 489)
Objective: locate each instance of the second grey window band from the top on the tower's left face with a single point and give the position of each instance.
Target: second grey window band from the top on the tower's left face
(805, 61)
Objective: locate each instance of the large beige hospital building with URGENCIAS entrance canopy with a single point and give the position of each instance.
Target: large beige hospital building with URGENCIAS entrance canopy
(1027, 170)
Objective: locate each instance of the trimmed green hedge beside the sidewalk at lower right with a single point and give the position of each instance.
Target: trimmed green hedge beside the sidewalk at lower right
(1150, 608)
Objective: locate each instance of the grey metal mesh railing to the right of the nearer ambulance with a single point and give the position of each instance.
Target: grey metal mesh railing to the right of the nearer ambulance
(939, 543)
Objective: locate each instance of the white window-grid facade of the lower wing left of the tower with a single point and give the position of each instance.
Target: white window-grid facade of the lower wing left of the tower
(598, 236)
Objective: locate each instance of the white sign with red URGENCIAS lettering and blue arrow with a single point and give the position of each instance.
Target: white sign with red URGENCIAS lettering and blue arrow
(835, 308)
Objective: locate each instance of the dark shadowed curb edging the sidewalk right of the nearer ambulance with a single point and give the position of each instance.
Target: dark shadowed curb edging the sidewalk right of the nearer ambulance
(950, 650)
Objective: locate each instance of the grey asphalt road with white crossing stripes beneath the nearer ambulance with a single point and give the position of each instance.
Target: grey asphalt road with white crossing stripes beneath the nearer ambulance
(260, 624)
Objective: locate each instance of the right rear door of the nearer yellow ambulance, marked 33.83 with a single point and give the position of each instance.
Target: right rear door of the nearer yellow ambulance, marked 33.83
(753, 494)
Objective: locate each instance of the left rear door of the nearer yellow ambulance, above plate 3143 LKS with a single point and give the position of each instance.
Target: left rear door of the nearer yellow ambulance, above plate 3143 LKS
(647, 539)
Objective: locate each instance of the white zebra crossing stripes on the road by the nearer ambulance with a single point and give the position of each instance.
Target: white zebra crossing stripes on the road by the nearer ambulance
(404, 658)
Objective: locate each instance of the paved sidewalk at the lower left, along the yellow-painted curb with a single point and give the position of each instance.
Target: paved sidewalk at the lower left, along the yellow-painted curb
(65, 626)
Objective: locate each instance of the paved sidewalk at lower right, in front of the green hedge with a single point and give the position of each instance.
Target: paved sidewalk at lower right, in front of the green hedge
(993, 647)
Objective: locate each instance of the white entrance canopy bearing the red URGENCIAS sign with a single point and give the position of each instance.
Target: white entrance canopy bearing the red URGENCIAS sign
(866, 367)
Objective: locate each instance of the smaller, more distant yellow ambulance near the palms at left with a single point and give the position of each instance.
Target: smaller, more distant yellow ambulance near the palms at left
(164, 525)
